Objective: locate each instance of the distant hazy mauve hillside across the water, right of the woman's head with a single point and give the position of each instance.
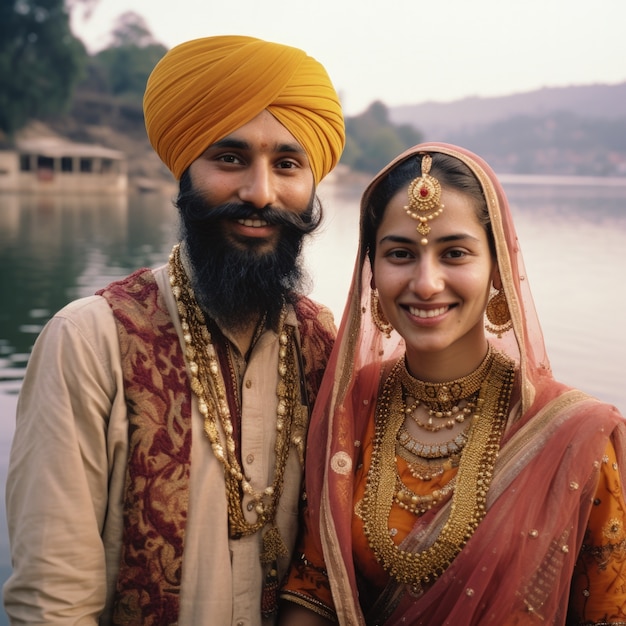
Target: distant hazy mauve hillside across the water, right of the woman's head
(567, 130)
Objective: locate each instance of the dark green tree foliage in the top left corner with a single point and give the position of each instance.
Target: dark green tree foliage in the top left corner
(40, 61)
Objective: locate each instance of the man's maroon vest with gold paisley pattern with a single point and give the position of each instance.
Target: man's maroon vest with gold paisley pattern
(158, 399)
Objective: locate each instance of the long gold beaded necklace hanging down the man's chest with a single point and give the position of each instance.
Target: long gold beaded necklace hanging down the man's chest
(208, 386)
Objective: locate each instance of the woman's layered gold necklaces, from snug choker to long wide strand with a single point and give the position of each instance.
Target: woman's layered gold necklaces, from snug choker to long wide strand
(489, 390)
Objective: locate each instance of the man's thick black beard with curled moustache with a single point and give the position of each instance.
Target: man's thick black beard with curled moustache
(234, 282)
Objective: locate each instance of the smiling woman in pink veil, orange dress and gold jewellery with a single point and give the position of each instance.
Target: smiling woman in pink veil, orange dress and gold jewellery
(450, 478)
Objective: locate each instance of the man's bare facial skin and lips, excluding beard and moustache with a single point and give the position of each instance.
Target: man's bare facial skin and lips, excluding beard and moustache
(260, 165)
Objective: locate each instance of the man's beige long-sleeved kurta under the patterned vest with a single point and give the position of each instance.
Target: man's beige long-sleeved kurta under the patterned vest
(66, 481)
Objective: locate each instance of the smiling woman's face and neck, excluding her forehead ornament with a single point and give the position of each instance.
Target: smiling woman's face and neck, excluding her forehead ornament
(435, 295)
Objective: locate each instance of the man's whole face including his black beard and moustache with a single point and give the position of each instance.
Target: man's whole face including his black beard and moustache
(245, 206)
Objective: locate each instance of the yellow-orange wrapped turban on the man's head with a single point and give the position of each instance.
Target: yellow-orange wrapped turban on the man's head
(204, 89)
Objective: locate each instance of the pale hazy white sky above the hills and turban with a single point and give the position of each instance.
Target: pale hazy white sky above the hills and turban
(407, 51)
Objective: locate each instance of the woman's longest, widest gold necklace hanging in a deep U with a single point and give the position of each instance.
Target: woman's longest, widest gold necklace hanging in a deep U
(473, 478)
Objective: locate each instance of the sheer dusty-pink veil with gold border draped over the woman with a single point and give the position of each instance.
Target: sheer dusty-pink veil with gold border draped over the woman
(344, 404)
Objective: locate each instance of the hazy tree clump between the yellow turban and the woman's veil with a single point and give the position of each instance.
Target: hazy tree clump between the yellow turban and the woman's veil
(372, 140)
